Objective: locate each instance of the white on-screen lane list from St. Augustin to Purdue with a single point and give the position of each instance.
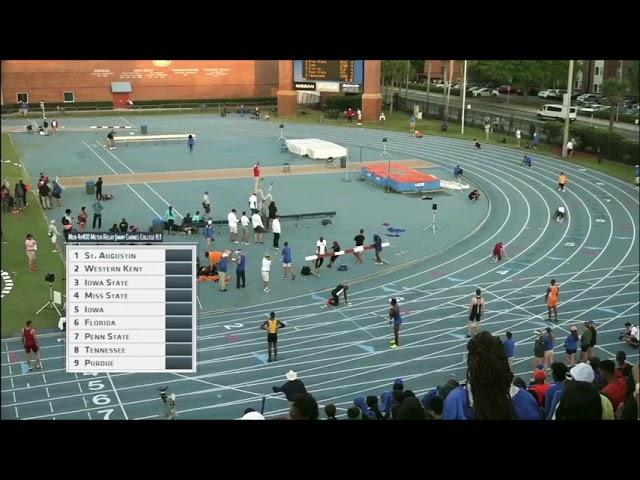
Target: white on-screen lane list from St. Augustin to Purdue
(131, 308)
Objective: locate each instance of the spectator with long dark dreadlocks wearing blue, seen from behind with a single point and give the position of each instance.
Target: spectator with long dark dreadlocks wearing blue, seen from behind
(489, 394)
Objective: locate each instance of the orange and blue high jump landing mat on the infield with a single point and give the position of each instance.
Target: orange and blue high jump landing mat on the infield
(399, 178)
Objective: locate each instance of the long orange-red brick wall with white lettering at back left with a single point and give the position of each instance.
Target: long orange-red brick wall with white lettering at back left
(90, 80)
